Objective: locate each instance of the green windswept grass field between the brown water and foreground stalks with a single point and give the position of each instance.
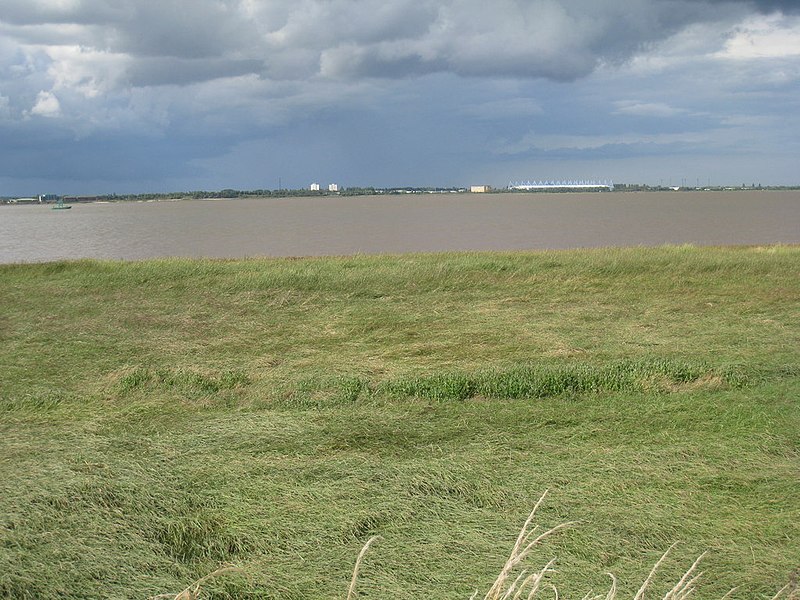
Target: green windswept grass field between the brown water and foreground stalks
(161, 419)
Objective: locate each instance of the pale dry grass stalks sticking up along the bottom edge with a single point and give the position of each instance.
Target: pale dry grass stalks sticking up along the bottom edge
(515, 584)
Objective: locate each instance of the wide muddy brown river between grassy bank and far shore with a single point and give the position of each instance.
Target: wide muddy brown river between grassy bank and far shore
(395, 224)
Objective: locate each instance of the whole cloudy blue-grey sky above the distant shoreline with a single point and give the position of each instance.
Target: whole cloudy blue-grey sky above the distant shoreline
(132, 96)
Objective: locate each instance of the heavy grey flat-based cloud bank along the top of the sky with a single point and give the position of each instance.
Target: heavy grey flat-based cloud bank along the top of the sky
(286, 39)
